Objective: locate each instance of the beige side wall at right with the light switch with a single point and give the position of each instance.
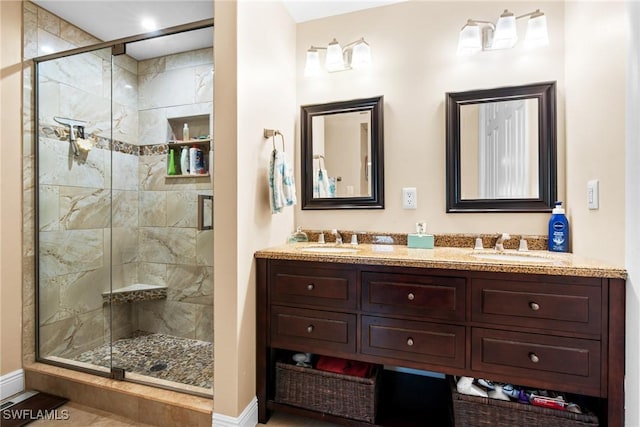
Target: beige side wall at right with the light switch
(596, 45)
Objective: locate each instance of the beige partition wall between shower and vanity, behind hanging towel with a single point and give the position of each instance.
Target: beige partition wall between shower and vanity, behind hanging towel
(254, 89)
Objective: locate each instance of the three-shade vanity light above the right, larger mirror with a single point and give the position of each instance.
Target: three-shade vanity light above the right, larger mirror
(479, 35)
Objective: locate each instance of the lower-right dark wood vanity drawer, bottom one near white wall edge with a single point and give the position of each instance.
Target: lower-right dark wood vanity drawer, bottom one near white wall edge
(569, 361)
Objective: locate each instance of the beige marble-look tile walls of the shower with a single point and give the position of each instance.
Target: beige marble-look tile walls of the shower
(111, 215)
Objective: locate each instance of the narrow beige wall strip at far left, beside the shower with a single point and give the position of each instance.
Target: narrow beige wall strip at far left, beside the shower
(10, 185)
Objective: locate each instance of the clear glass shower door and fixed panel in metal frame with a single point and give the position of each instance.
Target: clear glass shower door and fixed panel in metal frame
(124, 271)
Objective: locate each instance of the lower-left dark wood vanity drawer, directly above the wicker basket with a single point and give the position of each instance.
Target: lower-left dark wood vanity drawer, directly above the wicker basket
(296, 328)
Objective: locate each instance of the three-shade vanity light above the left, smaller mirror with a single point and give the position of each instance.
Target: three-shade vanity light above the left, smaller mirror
(355, 55)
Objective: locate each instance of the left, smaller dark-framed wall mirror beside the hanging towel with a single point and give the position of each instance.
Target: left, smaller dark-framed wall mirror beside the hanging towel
(342, 155)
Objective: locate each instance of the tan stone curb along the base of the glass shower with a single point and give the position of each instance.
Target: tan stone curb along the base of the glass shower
(138, 402)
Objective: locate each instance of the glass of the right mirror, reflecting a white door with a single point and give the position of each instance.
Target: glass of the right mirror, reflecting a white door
(499, 150)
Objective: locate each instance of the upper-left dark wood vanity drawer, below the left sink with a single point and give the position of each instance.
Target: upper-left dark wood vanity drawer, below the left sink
(313, 285)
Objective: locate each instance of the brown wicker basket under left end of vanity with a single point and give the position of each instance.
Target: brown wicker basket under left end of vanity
(327, 392)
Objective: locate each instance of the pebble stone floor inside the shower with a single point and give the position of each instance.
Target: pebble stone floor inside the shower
(166, 357)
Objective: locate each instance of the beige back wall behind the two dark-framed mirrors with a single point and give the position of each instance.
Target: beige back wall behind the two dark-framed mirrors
(413, 46)
